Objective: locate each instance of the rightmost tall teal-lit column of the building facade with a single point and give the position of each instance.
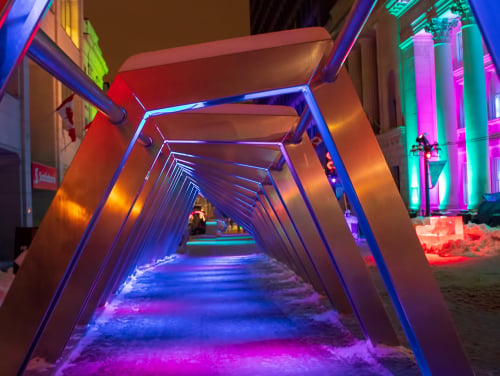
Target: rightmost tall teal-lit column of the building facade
(475, 110)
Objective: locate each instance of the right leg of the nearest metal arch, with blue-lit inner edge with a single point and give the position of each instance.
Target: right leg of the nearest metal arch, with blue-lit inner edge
(383, 217)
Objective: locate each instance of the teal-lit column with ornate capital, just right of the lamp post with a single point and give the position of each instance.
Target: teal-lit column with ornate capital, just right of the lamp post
(446, 111)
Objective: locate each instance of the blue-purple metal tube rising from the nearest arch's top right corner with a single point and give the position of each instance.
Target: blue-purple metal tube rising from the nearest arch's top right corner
(353, 24)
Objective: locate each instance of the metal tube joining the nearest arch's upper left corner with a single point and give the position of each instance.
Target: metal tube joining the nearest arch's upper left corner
(50, 57)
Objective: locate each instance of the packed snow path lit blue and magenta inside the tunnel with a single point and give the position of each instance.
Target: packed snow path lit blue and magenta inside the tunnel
(225, 315)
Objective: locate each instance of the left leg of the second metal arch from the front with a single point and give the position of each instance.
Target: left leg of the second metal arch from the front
(96, 251)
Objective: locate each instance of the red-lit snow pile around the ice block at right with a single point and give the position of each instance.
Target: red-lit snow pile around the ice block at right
(479, 240)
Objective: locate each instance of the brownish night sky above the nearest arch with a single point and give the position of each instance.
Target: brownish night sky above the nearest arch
(128, 27)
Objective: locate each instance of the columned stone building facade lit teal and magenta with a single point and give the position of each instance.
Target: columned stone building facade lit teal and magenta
(421, 67)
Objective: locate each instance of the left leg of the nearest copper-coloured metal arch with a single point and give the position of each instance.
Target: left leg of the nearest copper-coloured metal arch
(68, 225)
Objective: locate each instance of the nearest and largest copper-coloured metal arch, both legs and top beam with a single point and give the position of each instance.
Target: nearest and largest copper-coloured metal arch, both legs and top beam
(244, 74)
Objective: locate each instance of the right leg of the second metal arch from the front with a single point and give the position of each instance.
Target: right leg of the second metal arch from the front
(329, 220)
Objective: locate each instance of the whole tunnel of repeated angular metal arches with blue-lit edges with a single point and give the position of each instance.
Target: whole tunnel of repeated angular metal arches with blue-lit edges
(134, 208)
